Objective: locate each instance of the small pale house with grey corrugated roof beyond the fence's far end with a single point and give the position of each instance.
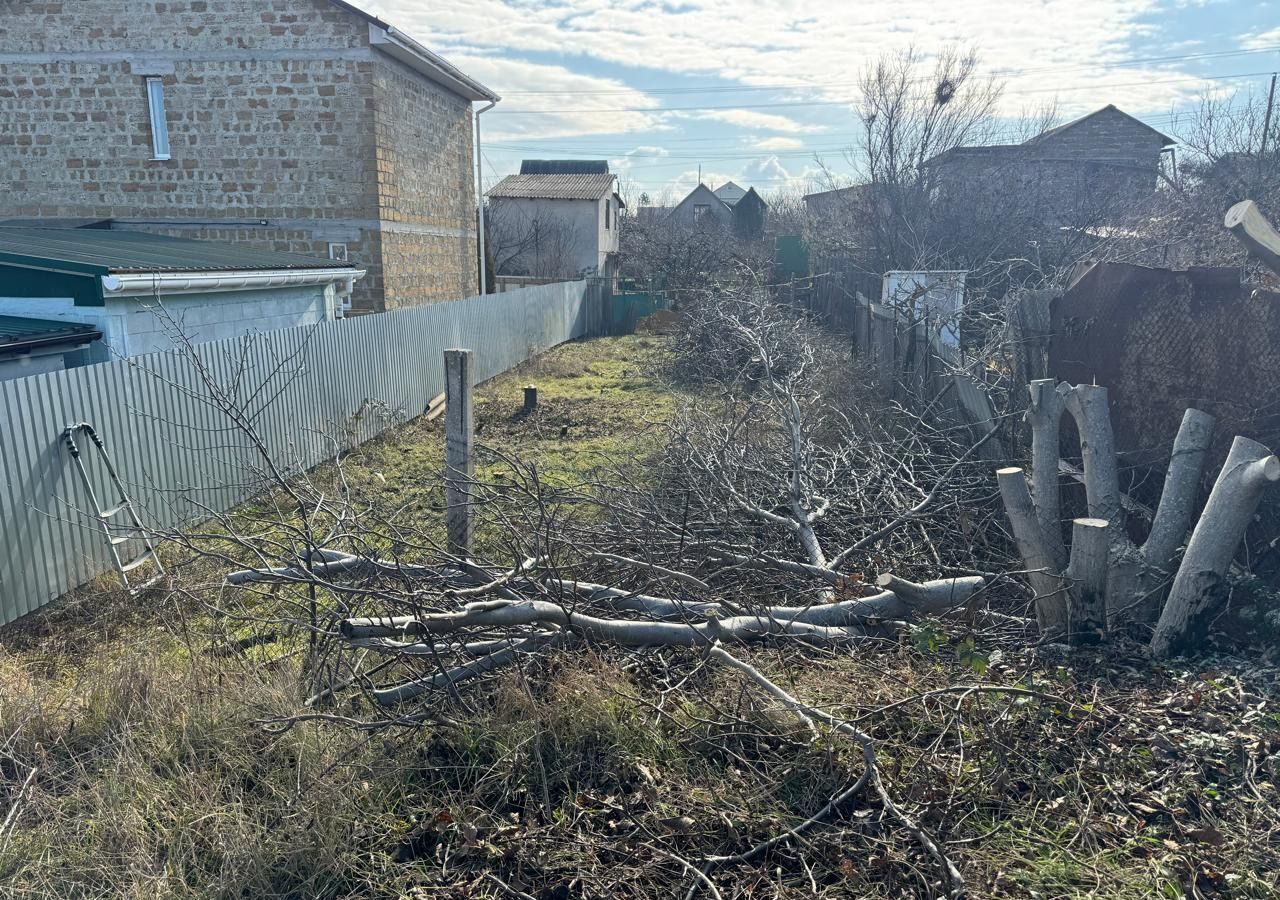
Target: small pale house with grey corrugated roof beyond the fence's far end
(555, 226)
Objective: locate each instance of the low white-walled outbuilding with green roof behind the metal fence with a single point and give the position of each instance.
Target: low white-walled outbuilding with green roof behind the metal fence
(131, 290)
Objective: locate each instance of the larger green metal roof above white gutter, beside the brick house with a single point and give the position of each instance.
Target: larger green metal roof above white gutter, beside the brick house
(102, 253)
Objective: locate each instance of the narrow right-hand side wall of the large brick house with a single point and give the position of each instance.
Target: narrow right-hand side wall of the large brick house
(426, 185)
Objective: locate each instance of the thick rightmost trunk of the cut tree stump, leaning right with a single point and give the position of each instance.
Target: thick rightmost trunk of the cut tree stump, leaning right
(1249, 472)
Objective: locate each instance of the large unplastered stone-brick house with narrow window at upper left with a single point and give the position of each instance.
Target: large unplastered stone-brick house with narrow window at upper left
(305, 126)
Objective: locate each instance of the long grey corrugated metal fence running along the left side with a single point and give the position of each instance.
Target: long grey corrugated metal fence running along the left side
(307, 392)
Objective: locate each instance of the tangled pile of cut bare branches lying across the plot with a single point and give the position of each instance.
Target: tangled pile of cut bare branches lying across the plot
(787, 508)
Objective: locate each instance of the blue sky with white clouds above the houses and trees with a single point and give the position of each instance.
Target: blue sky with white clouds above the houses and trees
(762, 92)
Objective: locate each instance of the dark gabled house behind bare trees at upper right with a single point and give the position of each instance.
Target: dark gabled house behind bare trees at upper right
(1086, 168)
